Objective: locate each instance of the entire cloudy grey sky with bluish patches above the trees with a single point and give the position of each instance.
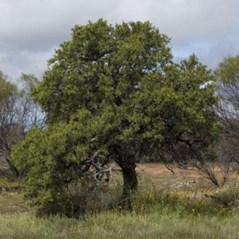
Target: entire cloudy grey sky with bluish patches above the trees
(30, 30)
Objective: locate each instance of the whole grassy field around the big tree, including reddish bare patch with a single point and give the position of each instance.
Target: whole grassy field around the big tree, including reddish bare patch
(163, 208)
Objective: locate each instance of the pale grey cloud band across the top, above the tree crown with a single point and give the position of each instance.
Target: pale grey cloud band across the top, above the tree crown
(49, 20)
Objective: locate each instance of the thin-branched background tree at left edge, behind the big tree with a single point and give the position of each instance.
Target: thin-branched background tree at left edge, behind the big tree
(18, 113)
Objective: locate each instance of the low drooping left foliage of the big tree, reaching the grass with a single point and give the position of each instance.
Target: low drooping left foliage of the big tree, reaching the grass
(55, 186)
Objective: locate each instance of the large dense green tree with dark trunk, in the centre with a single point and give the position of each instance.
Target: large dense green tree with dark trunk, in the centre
(113, 93)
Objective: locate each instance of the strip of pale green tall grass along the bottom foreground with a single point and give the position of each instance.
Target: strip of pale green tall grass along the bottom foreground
(120, 225)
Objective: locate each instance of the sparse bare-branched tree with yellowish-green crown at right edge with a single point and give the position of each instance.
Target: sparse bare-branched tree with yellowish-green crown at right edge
(228, 108)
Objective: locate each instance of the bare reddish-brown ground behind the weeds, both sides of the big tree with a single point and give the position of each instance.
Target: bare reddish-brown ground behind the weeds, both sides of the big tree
(183, 181)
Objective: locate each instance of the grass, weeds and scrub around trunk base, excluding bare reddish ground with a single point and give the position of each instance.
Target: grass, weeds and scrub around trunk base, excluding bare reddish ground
(156, 213)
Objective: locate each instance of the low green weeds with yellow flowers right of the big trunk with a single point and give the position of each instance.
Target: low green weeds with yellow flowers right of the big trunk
(149, 199)
